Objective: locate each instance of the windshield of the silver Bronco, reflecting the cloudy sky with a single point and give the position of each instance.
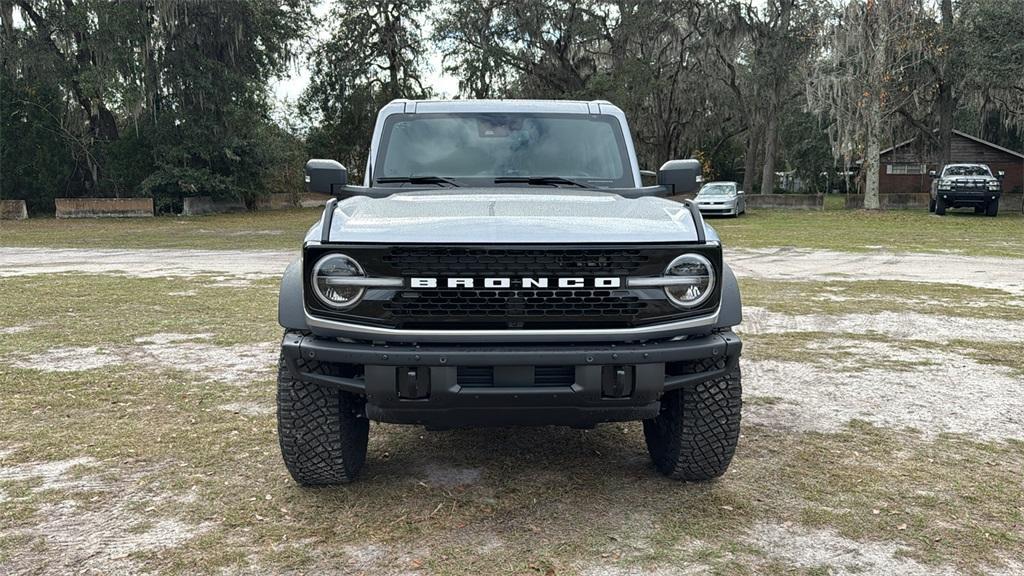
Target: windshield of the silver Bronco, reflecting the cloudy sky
(476, 149)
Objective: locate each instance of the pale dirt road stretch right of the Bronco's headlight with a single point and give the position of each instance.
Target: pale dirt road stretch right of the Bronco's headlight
(796, 264)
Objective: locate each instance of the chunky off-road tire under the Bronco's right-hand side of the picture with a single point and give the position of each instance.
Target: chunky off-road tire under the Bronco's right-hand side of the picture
(695, 436)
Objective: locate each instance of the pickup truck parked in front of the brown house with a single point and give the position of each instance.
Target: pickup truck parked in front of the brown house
(966, 186)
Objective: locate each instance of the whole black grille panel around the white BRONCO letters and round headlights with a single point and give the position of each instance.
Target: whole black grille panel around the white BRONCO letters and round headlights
(515, 308)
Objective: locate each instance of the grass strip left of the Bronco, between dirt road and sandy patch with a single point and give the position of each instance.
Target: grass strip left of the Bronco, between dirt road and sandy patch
(76, 310)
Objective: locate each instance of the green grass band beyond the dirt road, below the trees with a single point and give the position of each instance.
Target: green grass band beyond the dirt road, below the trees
(835, 230)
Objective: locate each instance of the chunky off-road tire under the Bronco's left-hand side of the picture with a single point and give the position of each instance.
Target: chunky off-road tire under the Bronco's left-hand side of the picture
(322, 432)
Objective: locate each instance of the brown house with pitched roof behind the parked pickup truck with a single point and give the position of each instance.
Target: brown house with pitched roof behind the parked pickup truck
(904, 169)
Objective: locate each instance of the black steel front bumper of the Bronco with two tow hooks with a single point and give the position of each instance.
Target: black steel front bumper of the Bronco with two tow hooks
(462, 385)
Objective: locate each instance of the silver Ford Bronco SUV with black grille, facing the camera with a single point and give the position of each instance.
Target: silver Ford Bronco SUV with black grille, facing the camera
(502, 265)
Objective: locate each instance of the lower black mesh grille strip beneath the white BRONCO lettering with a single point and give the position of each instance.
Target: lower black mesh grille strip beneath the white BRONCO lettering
(516, 304)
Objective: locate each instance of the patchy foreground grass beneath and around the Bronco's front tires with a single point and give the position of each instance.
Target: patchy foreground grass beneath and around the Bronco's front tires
(548, 499)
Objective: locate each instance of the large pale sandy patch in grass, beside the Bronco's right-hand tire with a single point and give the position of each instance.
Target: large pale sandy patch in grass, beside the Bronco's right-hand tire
(953, 394)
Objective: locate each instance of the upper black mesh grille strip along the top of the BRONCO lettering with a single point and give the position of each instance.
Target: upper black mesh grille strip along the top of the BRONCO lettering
(502, 262)
